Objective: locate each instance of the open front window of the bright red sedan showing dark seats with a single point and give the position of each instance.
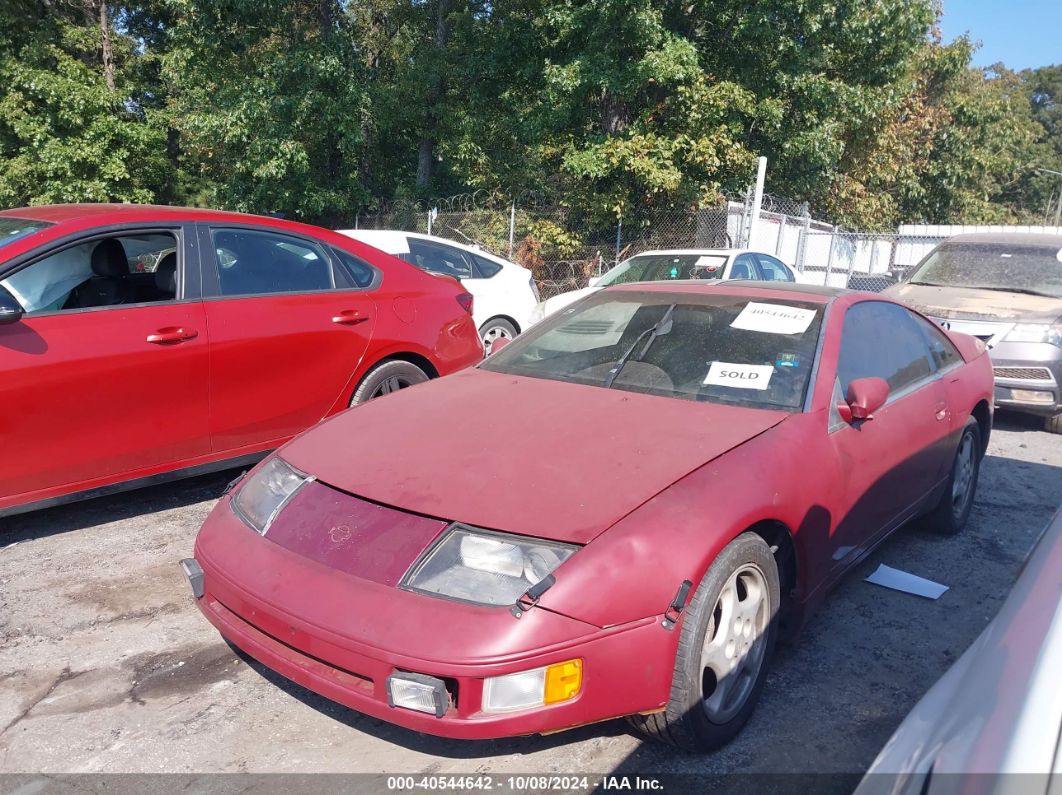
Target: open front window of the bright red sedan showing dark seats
(115, 271)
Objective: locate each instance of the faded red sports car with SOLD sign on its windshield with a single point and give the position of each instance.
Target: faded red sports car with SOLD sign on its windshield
(611, 516)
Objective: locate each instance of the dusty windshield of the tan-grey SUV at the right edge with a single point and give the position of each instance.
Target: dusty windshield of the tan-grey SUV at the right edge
(1022, 268)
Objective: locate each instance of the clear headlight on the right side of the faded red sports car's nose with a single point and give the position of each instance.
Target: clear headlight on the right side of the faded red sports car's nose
(485, 567)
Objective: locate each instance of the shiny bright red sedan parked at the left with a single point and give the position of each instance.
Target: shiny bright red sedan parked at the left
(140, 343)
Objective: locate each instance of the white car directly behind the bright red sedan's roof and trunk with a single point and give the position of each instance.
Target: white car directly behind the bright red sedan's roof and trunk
(506, 293)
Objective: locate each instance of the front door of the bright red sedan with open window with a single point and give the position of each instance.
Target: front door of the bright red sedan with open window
(106, 374)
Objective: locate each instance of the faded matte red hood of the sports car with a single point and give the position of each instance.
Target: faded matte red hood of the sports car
(527, 456)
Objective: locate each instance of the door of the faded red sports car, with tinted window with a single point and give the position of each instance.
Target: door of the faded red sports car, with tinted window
(892, 463)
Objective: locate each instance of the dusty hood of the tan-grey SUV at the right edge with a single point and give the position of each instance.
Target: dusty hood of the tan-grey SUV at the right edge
(982, 305)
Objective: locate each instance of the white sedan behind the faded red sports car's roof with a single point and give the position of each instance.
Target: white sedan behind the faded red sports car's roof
(678, 264)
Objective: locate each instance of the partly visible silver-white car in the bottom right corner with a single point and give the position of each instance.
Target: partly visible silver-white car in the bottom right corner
(992, 723)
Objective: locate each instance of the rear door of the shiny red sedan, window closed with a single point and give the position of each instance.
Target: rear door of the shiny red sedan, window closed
(289, 326)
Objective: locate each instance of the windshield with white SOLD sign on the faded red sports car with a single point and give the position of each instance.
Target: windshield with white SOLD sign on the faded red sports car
(716, 349)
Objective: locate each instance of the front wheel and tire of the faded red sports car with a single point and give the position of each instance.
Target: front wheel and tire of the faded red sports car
(700, 716)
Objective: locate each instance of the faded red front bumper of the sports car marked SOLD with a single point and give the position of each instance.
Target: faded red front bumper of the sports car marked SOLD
(342, 637)
